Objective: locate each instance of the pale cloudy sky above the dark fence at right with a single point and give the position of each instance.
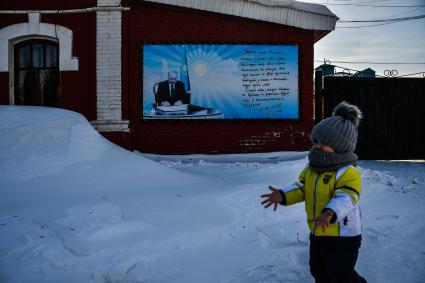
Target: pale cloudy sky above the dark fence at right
(400, 42)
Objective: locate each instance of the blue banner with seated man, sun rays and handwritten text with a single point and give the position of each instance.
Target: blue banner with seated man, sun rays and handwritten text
(220, 81)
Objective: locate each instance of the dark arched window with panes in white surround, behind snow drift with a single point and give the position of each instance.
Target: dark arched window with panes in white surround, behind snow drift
(37, 73)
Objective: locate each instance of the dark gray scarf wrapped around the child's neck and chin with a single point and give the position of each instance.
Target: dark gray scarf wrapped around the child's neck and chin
(325, 161)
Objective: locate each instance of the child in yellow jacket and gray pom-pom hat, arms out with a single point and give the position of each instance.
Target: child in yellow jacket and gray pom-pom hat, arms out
(330, 186)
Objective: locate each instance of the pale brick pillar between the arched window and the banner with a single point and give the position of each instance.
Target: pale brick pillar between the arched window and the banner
(108, 68)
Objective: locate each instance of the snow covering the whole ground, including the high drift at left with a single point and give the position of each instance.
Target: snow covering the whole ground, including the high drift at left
(76, 208)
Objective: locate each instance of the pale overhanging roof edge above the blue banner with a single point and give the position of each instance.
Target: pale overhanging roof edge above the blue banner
(286, 12)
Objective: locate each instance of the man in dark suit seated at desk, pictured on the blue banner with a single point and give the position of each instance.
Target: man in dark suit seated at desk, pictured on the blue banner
(171, 92)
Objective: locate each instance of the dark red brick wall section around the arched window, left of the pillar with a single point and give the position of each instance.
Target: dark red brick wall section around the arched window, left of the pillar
(78, 88)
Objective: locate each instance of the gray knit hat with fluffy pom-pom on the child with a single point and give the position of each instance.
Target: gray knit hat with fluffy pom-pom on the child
(340, 130)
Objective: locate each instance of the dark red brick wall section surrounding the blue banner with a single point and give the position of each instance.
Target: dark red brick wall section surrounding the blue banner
(160, 23)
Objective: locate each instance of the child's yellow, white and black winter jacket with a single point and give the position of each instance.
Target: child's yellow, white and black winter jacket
(337, 190)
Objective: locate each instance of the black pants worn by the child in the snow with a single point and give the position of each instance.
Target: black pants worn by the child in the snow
(332, 259)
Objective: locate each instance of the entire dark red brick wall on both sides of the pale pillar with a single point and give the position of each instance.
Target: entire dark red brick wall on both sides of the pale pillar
(163, 24)
